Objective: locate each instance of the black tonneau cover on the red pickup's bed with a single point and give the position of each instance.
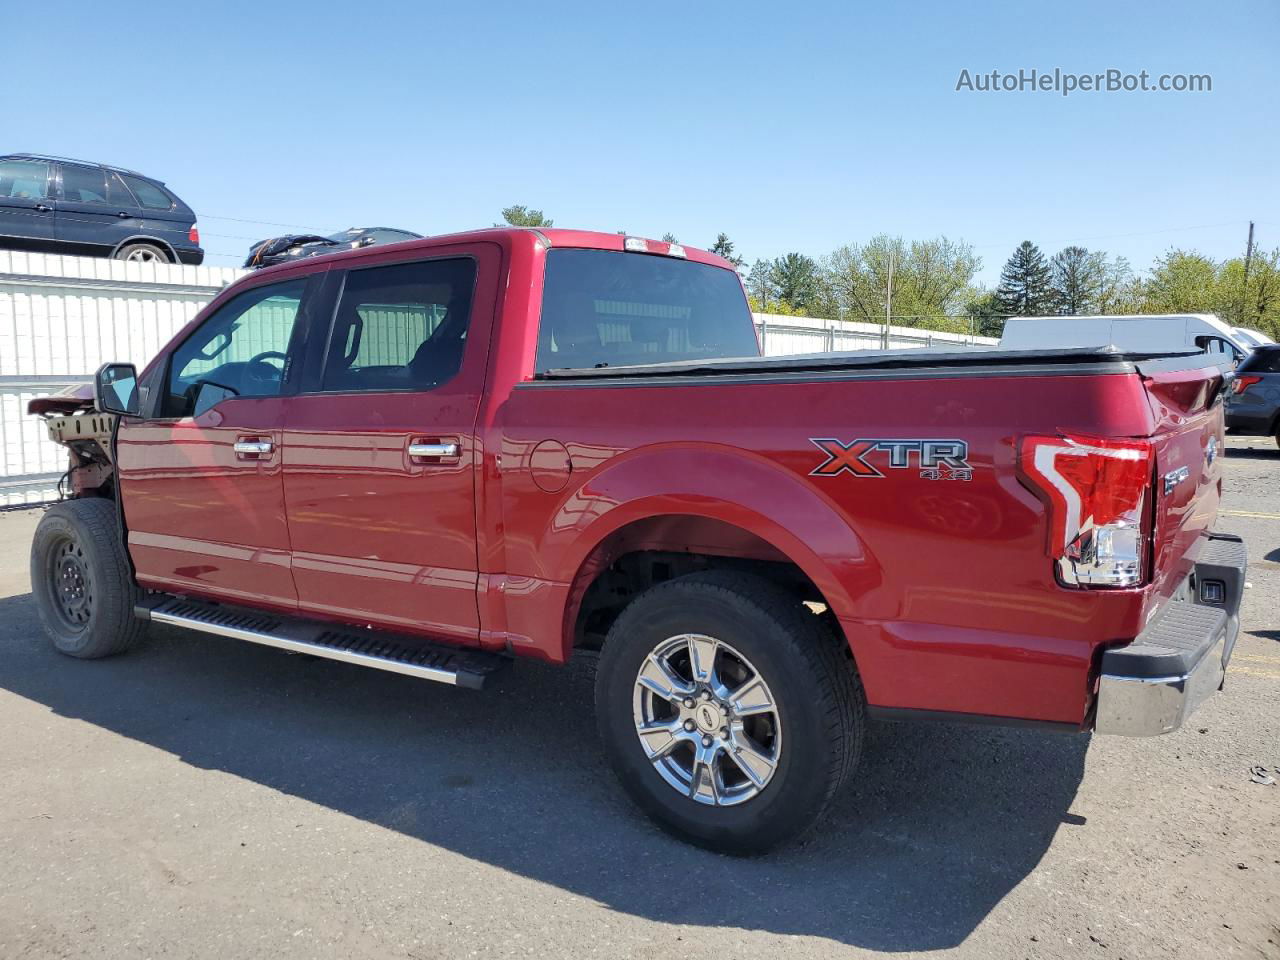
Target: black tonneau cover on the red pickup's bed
(1110, 359)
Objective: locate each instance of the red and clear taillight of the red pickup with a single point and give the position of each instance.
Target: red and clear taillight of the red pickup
(1098, 492)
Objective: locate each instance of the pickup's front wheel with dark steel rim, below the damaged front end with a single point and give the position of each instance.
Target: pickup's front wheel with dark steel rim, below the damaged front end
(81, 580)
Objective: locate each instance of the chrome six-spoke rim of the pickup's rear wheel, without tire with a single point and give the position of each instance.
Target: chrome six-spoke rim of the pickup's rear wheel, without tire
(707, 720)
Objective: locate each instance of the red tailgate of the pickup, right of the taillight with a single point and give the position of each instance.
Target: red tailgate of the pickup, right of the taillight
(1190, 449)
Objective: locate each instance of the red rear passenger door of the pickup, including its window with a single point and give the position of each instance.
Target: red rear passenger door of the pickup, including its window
(380, 459)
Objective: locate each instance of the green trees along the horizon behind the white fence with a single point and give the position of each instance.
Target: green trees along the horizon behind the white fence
(931, 284)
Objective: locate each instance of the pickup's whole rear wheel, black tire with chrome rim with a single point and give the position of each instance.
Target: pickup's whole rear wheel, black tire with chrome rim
(730, 712)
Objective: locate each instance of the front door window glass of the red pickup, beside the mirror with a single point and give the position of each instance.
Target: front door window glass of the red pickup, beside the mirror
(241, 349)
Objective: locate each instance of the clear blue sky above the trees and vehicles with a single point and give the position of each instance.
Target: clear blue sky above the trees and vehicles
(788, 126)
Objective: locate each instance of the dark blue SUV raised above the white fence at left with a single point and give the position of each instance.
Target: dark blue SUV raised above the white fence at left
(56, 205)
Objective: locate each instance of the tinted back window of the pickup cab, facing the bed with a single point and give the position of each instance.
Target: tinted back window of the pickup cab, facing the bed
(602, 308)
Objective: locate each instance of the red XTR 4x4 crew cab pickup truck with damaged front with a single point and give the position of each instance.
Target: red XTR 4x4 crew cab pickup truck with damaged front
(436, 456)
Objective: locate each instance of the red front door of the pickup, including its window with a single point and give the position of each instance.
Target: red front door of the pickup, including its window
(200, 479)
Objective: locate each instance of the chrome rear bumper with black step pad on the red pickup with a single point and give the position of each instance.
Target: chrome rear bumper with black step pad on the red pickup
(1153, 685)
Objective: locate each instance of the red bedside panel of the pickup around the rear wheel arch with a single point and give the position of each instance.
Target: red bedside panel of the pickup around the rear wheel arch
(944, 587)
